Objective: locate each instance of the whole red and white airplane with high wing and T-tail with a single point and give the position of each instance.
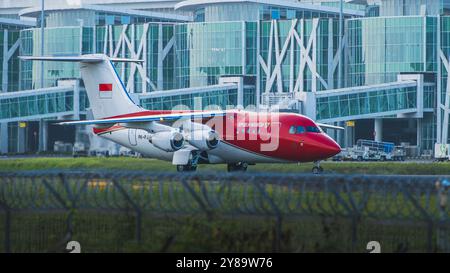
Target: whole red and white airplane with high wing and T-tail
(188, 138)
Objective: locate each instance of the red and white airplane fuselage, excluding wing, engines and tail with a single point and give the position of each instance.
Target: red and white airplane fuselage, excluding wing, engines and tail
(249, 137)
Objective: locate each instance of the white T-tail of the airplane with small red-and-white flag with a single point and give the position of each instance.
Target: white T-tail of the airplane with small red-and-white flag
(107, 94)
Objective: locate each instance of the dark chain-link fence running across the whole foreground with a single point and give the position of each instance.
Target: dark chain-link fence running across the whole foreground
(221, 212)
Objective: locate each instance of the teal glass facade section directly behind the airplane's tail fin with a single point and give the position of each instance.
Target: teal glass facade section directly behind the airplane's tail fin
(72, 41)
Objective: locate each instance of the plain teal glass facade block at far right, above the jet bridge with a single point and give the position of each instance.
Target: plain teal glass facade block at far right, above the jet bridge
(380, 48)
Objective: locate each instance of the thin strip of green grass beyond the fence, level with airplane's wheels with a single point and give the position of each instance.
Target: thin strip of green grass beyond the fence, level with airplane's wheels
(143, 164)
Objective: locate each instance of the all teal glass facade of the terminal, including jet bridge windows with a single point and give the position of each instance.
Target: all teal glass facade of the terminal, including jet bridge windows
(238, 40)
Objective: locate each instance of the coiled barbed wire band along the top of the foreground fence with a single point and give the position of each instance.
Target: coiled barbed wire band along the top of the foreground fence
(386, 197)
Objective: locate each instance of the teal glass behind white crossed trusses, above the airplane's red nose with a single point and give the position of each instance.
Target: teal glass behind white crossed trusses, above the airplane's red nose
(324, 54)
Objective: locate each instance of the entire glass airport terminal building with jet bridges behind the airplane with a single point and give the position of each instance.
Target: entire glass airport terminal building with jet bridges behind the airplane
(382, 74)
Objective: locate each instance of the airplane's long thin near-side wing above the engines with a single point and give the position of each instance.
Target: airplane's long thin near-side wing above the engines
(148, 118)
